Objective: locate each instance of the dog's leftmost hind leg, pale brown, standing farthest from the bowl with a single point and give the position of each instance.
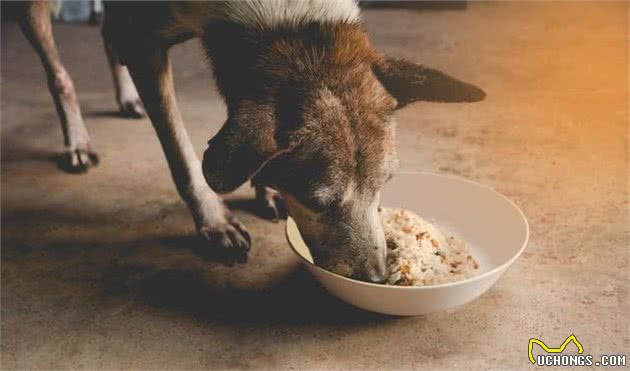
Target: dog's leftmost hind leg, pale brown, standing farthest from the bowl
(36, 25)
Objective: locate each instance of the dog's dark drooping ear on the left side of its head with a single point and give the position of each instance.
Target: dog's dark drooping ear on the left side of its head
(241, 148)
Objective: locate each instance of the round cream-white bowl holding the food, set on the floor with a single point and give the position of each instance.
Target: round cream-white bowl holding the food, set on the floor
(493, 226)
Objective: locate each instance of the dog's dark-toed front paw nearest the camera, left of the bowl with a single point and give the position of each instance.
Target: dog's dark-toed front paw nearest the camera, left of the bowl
(227, 241)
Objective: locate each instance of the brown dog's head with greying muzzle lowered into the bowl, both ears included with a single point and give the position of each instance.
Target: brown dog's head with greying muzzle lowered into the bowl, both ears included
(321, 131)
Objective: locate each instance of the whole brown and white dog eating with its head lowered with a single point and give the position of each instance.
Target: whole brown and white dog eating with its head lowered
(310, 119)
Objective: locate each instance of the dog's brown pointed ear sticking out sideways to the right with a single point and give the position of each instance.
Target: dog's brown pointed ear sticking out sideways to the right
(409, 82)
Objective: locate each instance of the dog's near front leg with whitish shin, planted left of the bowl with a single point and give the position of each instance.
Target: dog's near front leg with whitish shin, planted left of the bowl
(228, 238)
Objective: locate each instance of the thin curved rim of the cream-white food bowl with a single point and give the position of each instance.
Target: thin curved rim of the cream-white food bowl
(493, 271)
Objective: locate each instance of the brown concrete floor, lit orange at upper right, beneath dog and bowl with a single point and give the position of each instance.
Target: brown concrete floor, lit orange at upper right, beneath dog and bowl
(97, 270)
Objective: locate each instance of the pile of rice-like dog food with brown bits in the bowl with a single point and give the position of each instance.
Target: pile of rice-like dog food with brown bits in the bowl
(418, 254)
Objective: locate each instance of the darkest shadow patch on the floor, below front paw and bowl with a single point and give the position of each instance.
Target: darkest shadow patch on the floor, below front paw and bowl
(294, 300)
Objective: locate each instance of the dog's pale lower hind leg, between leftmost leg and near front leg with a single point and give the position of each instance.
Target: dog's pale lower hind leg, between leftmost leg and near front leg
(126, 94)
